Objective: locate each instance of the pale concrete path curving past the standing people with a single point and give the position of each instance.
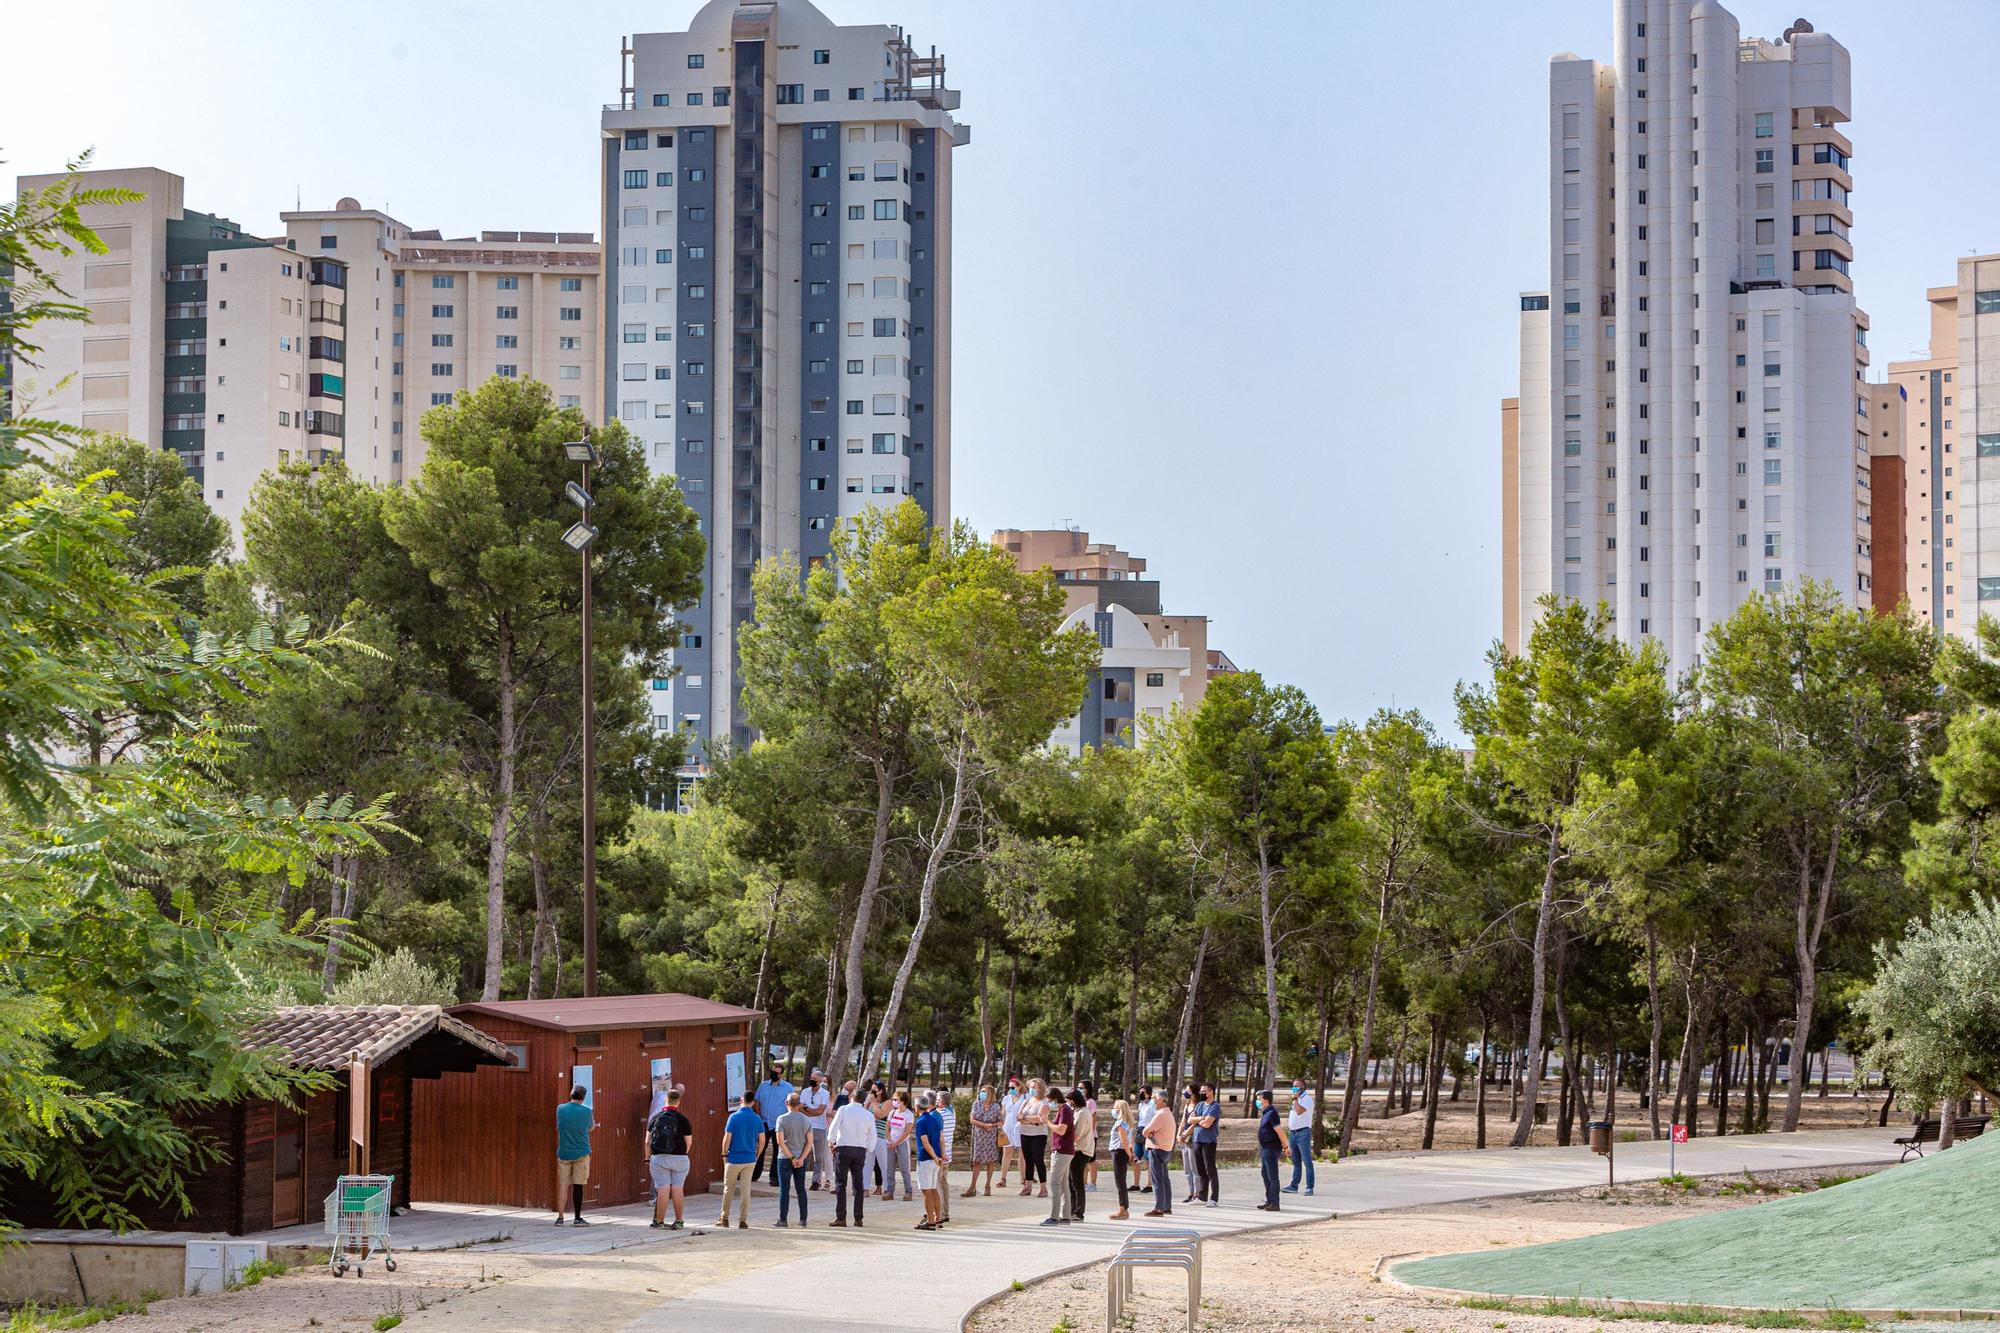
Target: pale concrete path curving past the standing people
(855, 1280)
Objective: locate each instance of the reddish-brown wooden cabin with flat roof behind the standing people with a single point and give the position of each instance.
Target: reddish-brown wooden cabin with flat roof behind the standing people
(489, 1136)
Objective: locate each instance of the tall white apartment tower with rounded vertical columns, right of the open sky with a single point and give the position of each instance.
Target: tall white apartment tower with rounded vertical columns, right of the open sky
(1693, 417)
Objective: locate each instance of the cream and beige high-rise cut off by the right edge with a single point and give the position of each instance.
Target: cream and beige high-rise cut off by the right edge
(1935, 469)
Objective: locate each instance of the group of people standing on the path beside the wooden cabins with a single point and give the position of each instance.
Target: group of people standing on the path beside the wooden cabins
(857, 1142)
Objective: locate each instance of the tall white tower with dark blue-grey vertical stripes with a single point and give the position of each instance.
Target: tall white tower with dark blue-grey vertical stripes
(779, 301)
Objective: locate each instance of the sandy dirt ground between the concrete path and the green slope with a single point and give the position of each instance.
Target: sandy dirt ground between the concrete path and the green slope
(1321, 1276)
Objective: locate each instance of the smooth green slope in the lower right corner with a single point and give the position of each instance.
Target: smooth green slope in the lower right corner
(1925, 1236)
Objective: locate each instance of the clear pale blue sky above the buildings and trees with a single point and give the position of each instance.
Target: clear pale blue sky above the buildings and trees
(1235, 283)
